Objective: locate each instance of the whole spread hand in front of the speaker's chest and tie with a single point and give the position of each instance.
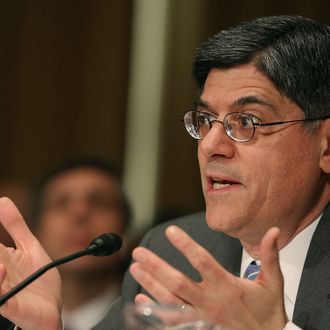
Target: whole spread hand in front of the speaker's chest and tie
(219, 297)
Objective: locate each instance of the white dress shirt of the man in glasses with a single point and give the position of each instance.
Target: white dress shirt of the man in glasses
(292, 264)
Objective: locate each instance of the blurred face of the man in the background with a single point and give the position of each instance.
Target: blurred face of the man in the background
(78, 206)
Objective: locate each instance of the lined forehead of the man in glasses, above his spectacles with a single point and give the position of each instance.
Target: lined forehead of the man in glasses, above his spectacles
(239, 86)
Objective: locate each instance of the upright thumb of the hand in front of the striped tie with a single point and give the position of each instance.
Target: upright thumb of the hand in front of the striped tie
(270, 267)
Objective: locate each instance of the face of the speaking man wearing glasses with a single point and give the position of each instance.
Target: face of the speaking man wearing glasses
(274, 179)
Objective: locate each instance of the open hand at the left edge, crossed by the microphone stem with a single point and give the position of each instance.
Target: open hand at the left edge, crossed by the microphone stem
(38, 305)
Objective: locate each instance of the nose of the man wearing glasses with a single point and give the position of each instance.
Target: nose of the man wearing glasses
(217, 142)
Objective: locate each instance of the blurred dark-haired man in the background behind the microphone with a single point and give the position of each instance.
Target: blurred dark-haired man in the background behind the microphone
(76, 202)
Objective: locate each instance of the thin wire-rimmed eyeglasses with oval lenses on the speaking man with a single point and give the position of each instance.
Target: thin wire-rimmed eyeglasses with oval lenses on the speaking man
(239, 126)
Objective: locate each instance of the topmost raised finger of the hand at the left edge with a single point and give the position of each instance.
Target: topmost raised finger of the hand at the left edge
(14, 224)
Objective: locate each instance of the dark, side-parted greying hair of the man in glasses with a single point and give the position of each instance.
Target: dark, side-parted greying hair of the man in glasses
(292, 51)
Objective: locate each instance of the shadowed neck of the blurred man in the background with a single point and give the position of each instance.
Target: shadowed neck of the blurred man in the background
(77, 290)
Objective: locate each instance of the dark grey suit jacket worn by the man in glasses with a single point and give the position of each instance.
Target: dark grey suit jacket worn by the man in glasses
(312, 308)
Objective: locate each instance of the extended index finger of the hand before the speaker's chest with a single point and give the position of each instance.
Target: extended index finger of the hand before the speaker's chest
(200, 259)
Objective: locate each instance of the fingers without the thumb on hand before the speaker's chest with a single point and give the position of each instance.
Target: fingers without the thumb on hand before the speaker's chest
(169, 285)
